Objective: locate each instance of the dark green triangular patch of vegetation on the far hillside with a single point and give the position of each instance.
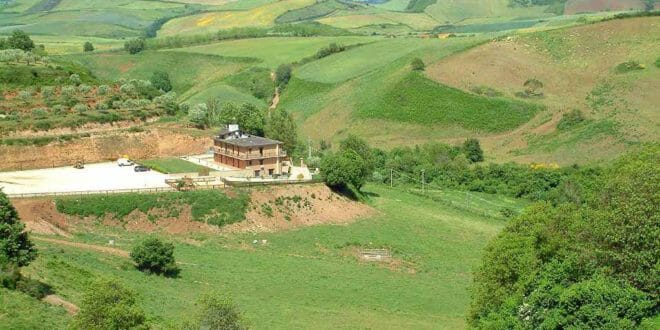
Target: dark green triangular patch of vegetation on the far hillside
(417, 99)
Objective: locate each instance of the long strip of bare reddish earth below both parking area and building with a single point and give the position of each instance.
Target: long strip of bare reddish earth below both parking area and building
(318, 205)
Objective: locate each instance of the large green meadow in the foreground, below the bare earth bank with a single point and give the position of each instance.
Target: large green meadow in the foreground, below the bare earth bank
(308, 278)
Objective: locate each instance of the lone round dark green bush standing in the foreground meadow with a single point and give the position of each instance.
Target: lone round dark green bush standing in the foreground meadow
(154, 256)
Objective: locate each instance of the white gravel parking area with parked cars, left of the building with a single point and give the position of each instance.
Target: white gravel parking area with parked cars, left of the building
(94, 177)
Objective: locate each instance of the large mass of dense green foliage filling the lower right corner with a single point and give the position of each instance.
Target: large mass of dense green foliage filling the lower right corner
(587, 265)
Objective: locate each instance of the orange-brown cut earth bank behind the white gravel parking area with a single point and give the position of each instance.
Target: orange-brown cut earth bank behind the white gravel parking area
(102, 147)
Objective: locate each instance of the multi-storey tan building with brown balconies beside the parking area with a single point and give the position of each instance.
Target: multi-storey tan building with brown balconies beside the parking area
(235, 148)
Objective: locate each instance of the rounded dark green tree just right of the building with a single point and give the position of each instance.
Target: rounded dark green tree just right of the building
(343, 169)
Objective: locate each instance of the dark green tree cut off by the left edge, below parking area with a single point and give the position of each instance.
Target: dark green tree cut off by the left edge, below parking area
(15, 245)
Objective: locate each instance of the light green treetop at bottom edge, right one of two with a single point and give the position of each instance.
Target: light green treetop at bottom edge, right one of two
(217, 312)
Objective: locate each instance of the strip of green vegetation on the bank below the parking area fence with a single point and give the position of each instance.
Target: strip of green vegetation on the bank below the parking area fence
(212, 206)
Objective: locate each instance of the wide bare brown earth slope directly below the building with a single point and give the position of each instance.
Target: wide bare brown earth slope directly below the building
(297, 206)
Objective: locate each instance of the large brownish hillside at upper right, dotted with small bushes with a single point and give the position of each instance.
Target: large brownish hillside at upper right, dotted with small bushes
(578, 69)
